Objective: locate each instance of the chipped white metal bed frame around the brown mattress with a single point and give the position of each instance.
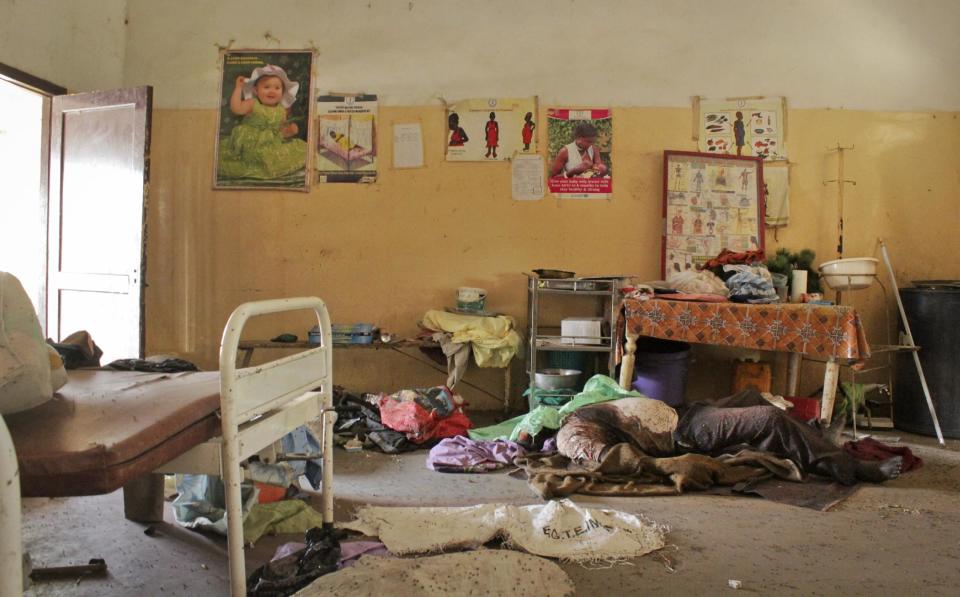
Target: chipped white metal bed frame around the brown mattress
(258, 406)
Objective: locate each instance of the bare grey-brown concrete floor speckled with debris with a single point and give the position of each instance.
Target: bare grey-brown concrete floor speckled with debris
(892, 539)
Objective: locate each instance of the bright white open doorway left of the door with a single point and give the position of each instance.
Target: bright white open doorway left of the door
(23, 231)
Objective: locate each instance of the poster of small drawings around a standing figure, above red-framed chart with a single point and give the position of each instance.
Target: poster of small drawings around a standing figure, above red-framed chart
(744, 127)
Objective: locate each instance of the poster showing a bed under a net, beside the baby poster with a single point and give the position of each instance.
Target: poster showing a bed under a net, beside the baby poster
(346, 138)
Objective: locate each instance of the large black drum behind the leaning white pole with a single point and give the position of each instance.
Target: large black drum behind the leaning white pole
(933, 310)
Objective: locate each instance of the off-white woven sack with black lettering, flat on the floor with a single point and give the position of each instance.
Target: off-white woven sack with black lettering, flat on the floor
(558, 529)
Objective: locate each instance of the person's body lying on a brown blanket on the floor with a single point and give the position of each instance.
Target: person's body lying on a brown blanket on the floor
(639, 446)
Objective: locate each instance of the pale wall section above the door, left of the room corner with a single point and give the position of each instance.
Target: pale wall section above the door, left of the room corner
(78, 44)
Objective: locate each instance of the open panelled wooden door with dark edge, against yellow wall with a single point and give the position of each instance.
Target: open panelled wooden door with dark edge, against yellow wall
(99, 157)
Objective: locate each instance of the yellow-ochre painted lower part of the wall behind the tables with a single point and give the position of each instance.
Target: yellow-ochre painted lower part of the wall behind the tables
(388, 252)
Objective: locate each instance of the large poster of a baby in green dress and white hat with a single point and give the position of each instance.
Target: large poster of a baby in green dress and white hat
(263, 132)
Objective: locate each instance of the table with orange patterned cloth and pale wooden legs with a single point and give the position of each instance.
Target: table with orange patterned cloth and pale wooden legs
(824, 332)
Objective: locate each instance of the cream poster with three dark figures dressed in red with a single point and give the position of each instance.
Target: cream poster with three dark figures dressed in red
(491, 130)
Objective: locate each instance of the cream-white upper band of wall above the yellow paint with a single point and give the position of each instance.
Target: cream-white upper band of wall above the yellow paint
(855, 54)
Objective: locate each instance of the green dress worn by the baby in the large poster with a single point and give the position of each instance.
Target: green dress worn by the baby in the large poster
(256, 147)
